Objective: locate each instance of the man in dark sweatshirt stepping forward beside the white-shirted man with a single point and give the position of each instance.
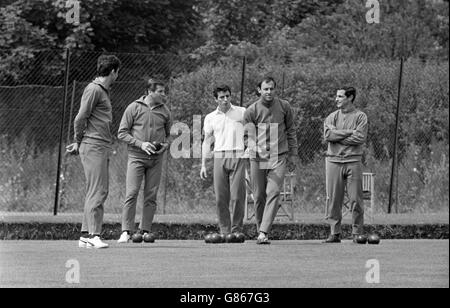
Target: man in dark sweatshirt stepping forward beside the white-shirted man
(269, 120)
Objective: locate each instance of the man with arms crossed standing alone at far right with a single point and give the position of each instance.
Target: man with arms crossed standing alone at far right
(345, 131)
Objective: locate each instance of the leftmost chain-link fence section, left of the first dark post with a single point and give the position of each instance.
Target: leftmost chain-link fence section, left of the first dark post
(31, 95)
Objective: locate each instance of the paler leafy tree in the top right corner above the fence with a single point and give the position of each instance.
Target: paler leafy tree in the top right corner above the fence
(407, 29)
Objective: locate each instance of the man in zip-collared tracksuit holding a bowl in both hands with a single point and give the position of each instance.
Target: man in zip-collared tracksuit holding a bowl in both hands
(145, 126)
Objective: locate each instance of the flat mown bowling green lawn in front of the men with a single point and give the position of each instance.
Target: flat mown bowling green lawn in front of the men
(195, 264)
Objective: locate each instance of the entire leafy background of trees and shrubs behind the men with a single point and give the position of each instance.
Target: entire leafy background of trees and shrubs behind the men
(312, 47)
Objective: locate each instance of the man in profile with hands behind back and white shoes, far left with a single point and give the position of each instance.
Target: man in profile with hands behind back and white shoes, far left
(93, 140)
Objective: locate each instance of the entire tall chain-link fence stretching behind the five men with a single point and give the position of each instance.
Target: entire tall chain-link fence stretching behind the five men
(31, 110)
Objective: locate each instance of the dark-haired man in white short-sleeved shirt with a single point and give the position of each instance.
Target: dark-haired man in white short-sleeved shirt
(225, 126)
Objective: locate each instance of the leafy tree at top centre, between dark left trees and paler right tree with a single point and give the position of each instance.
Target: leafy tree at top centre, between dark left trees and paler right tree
(242, 25)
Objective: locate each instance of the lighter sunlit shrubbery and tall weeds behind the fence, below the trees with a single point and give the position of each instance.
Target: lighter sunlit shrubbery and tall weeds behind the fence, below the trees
(28, 168)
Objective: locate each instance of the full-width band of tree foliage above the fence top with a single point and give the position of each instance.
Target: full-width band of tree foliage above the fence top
(281, 31)
